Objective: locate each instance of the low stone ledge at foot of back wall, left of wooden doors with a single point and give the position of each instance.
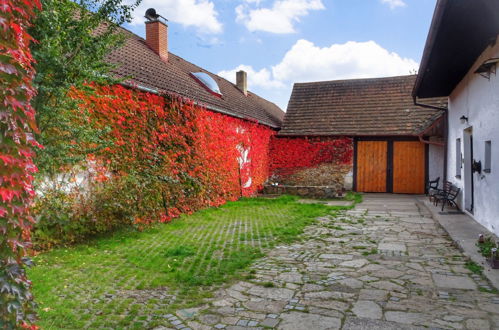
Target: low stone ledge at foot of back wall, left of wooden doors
(305, 191)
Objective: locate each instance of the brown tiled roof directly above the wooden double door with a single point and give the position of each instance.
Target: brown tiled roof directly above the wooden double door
(358, 107)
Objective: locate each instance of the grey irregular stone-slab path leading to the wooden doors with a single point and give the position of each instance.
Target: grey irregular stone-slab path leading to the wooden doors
(384, 265)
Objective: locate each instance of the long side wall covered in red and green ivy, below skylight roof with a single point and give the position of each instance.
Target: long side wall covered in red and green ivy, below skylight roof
(194, 157)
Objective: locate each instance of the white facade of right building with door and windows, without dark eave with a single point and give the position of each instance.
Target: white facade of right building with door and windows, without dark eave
(475, 139)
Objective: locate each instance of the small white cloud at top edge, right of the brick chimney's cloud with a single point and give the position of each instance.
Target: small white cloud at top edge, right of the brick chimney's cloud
(280, 18)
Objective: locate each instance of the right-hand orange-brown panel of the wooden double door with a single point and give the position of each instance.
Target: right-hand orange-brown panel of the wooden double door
(409, 160)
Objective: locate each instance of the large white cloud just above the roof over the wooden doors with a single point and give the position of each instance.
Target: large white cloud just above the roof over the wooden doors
(306, 62)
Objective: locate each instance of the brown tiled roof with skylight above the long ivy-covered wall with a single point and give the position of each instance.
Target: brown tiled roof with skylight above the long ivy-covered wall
(140, 65)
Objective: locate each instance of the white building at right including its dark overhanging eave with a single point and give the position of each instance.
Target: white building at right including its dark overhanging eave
(461, 61)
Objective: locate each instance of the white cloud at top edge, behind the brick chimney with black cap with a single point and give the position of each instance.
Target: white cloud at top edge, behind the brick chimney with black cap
(200, 14)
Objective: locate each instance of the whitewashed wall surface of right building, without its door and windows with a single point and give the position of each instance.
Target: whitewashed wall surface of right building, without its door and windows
(478, 99)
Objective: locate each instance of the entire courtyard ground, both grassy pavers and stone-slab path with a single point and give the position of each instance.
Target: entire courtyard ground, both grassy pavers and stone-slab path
(386, 264)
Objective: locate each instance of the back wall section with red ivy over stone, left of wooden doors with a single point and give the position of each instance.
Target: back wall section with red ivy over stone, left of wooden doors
(309, 160)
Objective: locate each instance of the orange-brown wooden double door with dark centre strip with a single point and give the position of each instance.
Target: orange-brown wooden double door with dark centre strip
(390, 166)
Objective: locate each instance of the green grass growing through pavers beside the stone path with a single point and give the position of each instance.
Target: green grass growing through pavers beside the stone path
(128, 280)
